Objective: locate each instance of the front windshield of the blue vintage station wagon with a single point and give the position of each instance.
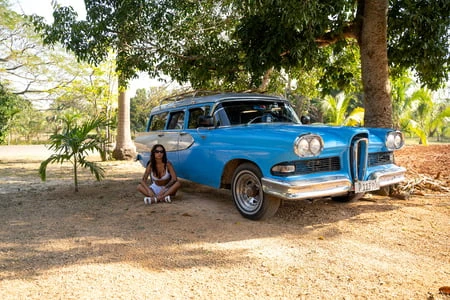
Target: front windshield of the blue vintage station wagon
(248, 112)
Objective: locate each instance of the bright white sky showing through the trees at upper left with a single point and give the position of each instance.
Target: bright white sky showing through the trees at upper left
(44, 8)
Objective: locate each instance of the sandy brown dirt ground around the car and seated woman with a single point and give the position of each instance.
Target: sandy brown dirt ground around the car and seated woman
(104, 243)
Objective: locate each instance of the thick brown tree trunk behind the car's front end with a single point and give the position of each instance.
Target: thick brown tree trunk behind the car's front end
(374, 63)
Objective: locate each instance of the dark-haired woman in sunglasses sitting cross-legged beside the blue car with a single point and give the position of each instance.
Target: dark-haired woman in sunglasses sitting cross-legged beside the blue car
(163, 179)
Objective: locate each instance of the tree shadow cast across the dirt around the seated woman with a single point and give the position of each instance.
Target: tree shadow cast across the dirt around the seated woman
(50, 226)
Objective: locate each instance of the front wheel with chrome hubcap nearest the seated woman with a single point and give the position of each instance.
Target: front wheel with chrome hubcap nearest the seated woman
(248, 194)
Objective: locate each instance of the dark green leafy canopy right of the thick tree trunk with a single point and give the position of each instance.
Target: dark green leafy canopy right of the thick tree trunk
(419, 39)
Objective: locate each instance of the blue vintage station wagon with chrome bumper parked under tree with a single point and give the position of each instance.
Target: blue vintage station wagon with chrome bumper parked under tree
(257, 146)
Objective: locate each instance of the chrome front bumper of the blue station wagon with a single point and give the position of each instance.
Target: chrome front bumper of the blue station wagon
(327, 186)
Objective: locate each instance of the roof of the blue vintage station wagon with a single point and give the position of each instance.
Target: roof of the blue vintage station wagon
(215, 98)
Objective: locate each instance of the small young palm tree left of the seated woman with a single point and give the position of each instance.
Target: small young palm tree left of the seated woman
(74, 144)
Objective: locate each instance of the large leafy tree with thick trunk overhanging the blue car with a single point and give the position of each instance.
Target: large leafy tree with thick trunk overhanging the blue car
(241, 44)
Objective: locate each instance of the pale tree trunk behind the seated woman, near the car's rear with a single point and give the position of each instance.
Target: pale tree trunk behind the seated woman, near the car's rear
(125, 148)
